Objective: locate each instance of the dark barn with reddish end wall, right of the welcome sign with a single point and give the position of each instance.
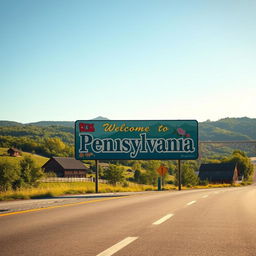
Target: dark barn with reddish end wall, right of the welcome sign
(219, 173)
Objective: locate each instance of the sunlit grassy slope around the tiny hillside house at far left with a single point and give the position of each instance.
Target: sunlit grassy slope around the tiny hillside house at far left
(39, 160)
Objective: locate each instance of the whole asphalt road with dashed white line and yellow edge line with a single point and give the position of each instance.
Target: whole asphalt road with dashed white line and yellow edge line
(196, 222)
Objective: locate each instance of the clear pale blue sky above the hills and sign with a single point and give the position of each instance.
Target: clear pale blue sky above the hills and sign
(136, 59)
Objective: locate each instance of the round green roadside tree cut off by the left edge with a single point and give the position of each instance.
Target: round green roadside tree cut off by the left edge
(9, 174)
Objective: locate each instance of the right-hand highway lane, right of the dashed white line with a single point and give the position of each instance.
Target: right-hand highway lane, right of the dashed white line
(221, 224)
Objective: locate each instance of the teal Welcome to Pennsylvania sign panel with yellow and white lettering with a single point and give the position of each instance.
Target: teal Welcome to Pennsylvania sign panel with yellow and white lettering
(136, 140)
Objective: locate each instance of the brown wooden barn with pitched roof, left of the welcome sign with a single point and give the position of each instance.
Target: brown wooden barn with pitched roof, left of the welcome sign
(67, 167)
